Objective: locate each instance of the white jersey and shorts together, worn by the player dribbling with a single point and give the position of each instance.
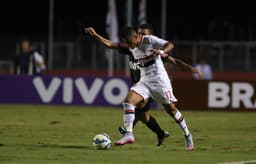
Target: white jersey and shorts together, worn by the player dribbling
(154, 80)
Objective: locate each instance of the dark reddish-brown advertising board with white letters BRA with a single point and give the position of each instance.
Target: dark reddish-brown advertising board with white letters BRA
(203, 95)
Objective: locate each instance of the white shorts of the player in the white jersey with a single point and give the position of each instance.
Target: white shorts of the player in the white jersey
(160, 90)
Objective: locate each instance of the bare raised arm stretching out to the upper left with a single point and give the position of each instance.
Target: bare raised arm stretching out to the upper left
(104, 41)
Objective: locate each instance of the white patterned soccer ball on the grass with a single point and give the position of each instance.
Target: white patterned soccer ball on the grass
(101, 141)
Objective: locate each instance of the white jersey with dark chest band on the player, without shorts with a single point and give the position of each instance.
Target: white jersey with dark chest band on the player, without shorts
(151, 67)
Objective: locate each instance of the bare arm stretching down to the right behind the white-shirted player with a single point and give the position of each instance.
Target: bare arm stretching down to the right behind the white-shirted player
(183, 65)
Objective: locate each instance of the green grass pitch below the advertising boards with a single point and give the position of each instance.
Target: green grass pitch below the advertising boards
(36, 134)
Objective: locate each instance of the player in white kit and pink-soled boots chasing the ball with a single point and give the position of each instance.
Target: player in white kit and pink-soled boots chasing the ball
(147, 51)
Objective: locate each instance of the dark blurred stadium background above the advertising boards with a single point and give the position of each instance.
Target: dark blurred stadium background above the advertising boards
(224, 32)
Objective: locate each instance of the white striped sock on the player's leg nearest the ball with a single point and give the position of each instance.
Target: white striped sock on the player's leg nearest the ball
(129, 116)
